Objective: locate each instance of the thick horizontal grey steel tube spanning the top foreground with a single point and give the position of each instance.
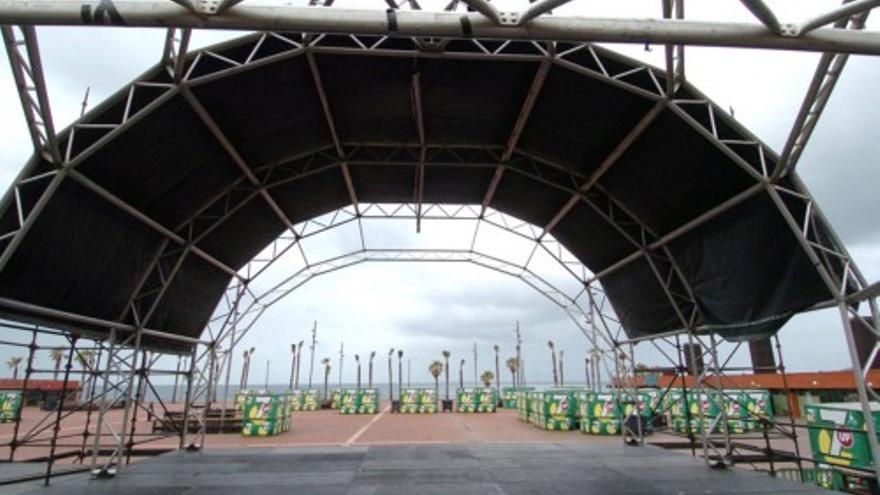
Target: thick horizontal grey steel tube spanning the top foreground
(437, 25)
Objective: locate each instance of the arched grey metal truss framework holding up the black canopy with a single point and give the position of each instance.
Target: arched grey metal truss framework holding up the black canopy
(472, 30)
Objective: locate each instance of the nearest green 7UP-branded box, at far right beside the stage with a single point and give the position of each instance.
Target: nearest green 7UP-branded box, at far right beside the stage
(838, 433)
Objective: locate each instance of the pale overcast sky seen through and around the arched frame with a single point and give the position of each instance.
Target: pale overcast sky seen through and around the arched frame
(425, 308)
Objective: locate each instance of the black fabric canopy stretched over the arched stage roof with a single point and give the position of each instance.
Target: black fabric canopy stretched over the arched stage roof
(83, 255)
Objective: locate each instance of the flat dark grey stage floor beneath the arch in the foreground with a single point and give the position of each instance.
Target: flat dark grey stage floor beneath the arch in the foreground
(558, 468)
